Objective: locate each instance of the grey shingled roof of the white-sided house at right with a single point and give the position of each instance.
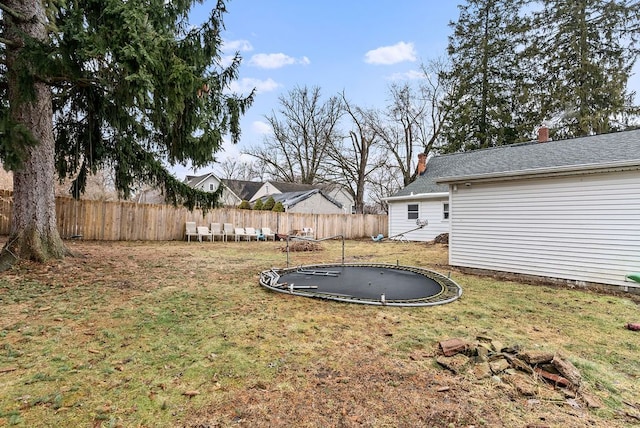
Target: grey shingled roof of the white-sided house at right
(597, 150)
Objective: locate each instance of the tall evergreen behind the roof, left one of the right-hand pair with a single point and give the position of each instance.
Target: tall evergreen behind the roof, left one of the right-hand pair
(483, 51)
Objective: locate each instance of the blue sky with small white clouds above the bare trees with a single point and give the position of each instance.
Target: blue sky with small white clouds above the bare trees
(360, 47)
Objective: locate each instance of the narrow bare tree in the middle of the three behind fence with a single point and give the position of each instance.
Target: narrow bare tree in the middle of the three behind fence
(357, 156)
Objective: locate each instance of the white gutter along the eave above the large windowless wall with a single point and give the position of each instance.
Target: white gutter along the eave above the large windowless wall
(550, 171)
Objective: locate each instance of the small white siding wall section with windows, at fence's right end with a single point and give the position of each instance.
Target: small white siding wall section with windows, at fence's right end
(428, 209)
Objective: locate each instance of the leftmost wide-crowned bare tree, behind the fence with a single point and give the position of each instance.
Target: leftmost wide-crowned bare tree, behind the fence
(304, 130)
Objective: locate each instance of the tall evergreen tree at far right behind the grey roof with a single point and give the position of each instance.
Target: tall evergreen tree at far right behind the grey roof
(585, 51)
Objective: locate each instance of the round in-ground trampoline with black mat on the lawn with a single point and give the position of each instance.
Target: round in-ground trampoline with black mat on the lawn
(366, 283)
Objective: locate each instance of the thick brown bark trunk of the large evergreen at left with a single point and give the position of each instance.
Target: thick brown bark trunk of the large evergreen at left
(33, 234)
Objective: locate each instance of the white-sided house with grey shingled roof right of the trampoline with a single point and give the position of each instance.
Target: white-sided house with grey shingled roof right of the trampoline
(564, 209)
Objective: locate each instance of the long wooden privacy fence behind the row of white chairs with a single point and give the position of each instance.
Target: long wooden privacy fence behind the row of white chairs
(128, 221)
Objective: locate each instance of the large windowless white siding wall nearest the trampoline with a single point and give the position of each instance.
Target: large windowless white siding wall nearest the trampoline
(580, 228)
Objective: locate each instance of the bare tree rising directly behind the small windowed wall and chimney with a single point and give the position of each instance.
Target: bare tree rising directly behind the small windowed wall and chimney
(412, 122)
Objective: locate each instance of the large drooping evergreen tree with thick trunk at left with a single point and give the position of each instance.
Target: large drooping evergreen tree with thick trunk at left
(129, 85)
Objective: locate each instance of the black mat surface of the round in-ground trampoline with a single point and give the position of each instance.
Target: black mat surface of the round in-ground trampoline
(364, 282)
